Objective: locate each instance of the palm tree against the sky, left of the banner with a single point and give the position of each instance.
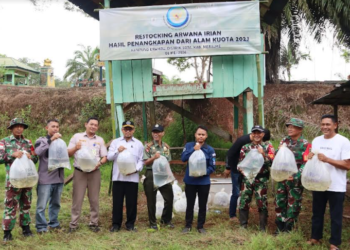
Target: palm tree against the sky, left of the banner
(83, 65)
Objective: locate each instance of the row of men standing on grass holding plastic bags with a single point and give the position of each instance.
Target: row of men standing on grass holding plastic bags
(334, 151)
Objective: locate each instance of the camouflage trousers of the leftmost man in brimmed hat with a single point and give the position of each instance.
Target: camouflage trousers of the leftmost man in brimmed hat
(15, 197)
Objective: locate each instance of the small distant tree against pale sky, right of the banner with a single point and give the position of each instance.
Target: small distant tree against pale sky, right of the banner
(288, 60)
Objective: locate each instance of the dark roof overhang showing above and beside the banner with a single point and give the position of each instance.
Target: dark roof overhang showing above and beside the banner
(269, 9)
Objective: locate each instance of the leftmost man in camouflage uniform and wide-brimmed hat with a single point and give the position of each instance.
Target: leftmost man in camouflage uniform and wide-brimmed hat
(12, 147)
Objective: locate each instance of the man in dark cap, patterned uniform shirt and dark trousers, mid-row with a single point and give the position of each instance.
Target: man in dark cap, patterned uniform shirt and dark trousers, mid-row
(153, 151)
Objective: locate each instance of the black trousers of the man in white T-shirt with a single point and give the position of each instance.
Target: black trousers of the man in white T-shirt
(319, 202)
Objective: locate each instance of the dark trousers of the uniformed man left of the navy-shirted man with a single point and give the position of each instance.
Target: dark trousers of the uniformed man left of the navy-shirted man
(151, 195)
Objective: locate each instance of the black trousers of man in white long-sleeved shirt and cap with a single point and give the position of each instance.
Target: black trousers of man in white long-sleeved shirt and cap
(128, 190)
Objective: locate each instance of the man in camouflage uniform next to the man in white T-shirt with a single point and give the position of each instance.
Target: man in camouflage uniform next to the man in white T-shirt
(289, 192)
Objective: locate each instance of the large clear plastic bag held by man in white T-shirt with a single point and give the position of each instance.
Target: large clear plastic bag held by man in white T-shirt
(315, 175)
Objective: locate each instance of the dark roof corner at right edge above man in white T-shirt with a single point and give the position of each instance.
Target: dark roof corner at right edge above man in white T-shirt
(338, 96)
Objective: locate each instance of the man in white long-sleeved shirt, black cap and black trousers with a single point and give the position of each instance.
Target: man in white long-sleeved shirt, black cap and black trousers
(125, 186)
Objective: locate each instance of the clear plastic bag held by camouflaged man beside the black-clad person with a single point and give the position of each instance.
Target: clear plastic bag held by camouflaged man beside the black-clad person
(251, 164)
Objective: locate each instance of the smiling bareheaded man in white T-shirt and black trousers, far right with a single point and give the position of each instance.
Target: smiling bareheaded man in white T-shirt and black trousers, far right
(334, 150)
